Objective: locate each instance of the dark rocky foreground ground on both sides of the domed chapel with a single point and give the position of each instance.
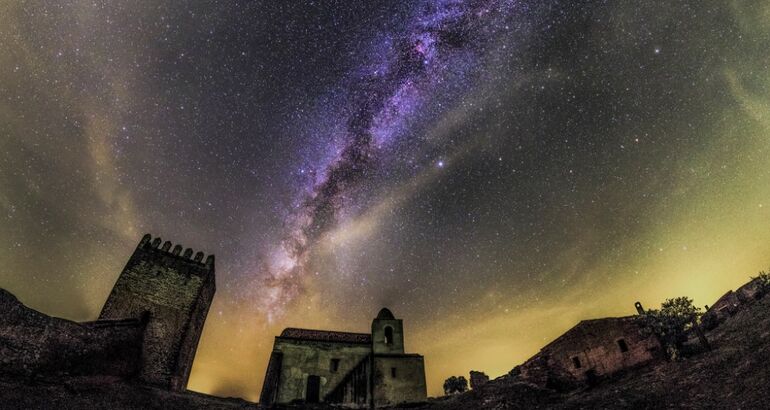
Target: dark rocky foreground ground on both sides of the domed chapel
(735, 374)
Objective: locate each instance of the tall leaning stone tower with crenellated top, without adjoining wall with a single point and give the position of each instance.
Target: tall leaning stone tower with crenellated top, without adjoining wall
(172, 291)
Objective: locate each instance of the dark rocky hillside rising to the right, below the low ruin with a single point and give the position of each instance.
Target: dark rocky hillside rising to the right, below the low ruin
(735, 375)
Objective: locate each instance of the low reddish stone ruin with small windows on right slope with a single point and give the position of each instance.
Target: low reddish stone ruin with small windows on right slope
(591, 349)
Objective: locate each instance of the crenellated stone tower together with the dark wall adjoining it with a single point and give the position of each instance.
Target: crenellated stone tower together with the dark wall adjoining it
(147, 332)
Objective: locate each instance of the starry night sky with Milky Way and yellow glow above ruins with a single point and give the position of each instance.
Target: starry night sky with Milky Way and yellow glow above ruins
(492, 171)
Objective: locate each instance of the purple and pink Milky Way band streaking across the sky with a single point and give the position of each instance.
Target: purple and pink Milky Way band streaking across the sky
(444, 36)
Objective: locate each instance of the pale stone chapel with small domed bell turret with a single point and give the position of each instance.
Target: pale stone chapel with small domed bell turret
(354, 369)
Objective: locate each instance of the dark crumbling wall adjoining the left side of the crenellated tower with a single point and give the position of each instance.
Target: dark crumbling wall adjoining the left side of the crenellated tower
(33, 344)
